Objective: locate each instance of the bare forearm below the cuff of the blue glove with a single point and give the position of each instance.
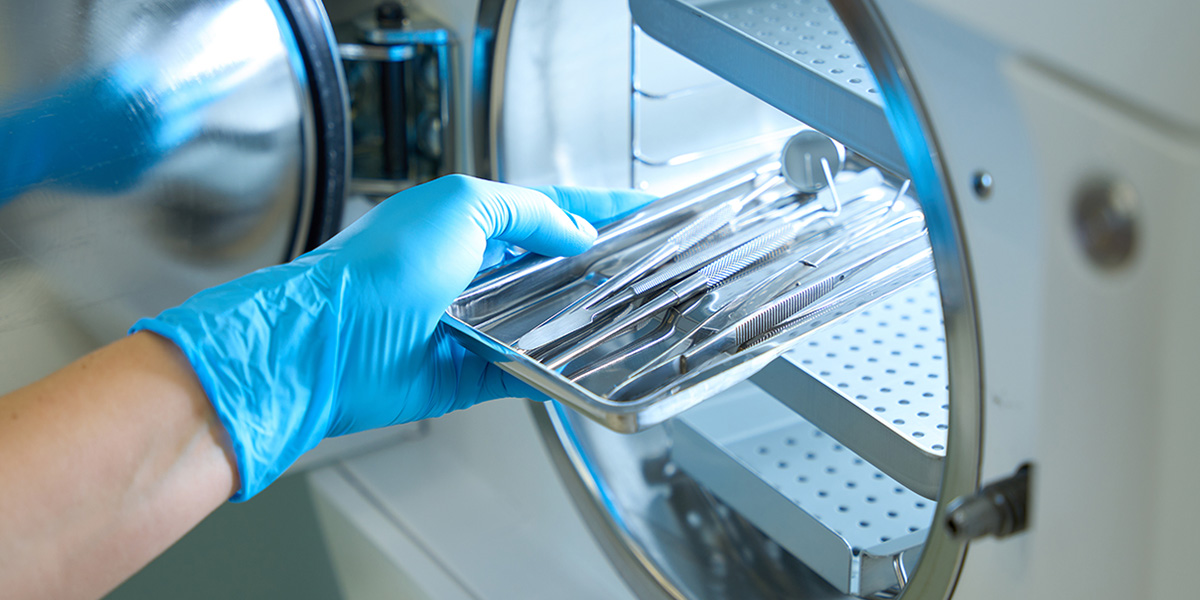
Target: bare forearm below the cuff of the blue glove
(103, 466)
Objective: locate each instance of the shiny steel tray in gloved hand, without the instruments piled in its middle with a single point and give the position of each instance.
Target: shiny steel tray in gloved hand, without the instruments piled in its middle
(610, 383)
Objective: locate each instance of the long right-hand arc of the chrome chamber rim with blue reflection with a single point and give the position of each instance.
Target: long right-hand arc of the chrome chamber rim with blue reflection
(943, 559)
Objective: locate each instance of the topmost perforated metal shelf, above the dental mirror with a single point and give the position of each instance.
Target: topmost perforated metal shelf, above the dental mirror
(805, 63)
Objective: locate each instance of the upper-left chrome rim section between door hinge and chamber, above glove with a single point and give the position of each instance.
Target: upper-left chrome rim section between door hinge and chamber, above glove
(494, 25)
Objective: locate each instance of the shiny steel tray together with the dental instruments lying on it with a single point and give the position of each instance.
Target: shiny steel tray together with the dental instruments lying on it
(814, 265)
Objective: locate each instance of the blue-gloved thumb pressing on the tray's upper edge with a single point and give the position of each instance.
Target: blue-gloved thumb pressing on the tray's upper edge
(531, 220)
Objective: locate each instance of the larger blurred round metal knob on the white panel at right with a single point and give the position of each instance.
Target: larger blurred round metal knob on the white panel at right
(1106, 219)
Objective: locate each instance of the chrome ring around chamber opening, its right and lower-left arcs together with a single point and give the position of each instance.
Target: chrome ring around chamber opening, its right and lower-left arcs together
(943, 557)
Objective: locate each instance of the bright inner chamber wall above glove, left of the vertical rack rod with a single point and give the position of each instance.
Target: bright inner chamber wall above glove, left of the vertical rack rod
(560, 101)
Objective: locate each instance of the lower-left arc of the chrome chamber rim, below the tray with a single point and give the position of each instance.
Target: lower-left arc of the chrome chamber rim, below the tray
(643, 577)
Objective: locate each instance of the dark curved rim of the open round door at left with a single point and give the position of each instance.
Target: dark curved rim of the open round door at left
(327, 124)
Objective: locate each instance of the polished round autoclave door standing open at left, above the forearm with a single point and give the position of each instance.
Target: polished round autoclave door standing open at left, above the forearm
(153, 149)
